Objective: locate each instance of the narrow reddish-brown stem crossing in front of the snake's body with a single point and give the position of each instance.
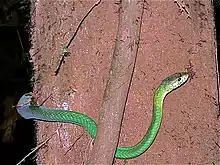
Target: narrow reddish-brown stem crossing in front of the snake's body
(116, 92)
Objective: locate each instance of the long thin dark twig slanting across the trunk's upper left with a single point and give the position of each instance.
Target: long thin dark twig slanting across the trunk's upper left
(65, 51)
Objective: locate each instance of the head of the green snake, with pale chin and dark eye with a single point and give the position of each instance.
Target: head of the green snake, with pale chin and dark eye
(174, 81)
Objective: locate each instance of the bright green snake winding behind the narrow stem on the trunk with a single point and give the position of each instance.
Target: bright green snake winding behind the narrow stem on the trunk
(29, 111)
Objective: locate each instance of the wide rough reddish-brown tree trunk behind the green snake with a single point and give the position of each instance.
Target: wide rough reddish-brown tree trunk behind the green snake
(174, 37)
